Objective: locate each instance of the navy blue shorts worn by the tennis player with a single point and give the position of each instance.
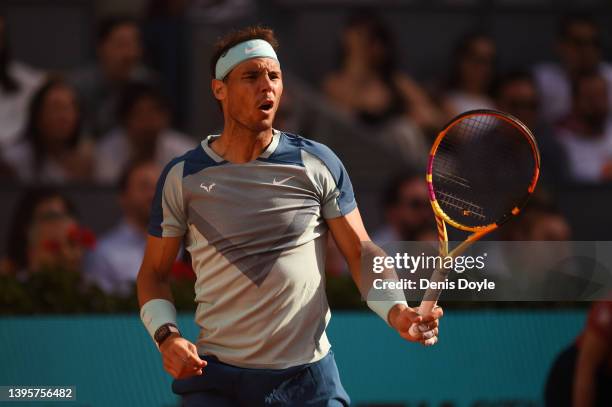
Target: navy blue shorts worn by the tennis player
(314, 384)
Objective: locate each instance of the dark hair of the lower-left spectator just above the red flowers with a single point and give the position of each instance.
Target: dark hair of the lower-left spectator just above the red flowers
(23, 217)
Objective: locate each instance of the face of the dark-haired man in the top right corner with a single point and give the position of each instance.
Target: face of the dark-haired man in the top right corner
(580, 50)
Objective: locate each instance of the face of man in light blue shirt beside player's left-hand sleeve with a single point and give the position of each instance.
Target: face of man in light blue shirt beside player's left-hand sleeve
(138, 195)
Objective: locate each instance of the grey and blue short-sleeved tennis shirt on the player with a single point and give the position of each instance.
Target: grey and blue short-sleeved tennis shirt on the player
(257, 237)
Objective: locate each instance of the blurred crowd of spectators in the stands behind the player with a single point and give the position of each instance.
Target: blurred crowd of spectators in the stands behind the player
(113, 123)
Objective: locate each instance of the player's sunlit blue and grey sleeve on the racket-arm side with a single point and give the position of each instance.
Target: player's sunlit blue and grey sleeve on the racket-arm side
(330, 178)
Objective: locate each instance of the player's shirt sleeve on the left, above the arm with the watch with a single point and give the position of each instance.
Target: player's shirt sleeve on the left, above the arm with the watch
(168, 218)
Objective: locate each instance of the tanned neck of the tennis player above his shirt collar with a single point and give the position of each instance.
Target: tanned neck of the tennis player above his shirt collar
(240, 145)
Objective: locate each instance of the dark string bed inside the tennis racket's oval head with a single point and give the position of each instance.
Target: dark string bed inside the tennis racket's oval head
(482, 168)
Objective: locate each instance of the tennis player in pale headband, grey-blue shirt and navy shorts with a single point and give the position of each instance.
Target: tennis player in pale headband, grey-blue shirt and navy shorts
(255, 204)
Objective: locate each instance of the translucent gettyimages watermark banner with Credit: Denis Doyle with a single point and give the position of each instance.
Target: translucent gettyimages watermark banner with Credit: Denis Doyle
(490, 271)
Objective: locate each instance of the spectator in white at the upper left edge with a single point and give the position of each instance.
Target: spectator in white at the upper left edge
(17, 84)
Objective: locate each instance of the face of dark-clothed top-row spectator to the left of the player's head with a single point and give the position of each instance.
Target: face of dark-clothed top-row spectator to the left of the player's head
(120, 52)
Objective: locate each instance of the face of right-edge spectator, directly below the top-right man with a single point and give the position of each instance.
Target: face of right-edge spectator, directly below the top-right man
(591, 102)
